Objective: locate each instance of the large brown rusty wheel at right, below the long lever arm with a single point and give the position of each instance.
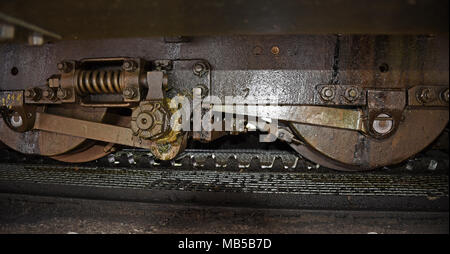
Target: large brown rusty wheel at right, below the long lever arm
(418, 129)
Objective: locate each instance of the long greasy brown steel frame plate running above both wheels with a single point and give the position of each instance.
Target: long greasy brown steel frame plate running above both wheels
(244, 66)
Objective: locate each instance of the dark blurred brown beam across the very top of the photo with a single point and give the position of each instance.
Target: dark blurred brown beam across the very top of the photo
(99, 19)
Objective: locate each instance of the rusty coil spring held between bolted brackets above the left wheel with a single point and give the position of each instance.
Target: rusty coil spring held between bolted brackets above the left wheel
(98, 82)
